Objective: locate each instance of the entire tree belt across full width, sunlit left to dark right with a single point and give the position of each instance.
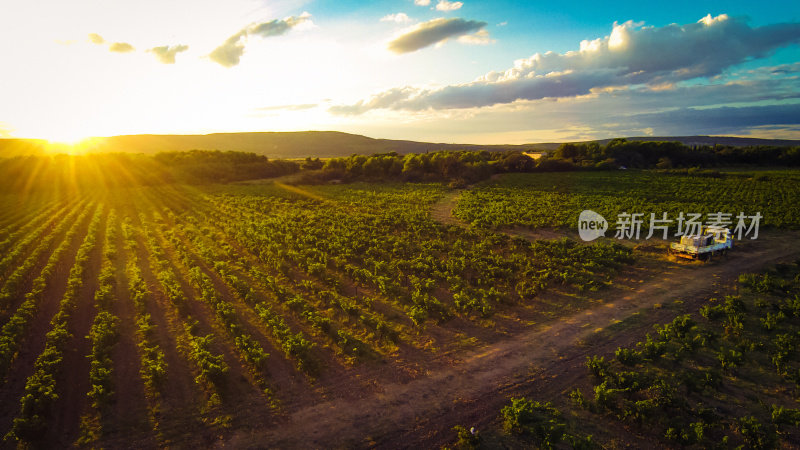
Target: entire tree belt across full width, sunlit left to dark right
(456, 167)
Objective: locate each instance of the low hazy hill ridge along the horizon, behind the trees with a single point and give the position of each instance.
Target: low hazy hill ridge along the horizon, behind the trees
(324, 144)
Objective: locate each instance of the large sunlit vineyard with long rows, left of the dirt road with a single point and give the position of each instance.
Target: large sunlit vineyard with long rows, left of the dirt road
(150, 316)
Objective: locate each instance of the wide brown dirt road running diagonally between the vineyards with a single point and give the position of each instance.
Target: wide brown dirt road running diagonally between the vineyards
(546, 360)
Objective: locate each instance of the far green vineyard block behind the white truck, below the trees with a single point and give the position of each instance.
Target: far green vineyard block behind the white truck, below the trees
(556, 199)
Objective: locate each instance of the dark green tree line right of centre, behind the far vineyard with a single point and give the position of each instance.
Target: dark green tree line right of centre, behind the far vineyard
(462, 167)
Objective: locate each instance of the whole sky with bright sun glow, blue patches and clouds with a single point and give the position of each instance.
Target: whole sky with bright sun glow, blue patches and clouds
(483, 72)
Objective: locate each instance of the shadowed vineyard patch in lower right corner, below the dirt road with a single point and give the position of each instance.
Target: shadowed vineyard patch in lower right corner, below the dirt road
(725, 376)
